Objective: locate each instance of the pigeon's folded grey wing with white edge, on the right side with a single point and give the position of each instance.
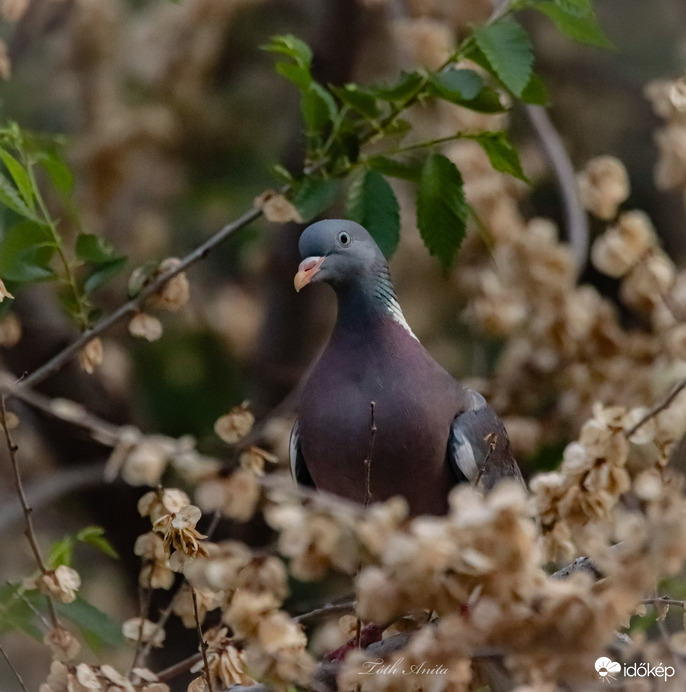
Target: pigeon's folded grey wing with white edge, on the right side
(478, 447)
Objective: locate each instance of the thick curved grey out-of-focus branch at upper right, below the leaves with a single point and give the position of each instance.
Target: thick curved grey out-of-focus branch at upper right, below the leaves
(575, 216)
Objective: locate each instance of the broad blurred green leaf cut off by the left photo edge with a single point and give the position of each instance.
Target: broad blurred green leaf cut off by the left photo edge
(25, 253)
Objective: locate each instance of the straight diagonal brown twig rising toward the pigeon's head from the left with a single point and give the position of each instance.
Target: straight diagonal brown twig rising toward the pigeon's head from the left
(133, 305)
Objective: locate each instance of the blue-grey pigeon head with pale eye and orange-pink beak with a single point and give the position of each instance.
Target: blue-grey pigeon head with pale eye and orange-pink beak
(337, 252)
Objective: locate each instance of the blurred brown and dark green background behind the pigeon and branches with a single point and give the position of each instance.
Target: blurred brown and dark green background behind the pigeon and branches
(173, 116)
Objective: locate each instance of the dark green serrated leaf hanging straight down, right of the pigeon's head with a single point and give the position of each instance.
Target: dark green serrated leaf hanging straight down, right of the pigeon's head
(441, 208)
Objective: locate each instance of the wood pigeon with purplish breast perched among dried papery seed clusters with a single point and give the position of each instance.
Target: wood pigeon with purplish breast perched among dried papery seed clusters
(378, 416)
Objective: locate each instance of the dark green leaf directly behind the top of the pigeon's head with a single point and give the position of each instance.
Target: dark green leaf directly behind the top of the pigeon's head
(372, 203)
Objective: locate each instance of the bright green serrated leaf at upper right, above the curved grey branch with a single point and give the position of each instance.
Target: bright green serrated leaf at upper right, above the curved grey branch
(508, 50)
